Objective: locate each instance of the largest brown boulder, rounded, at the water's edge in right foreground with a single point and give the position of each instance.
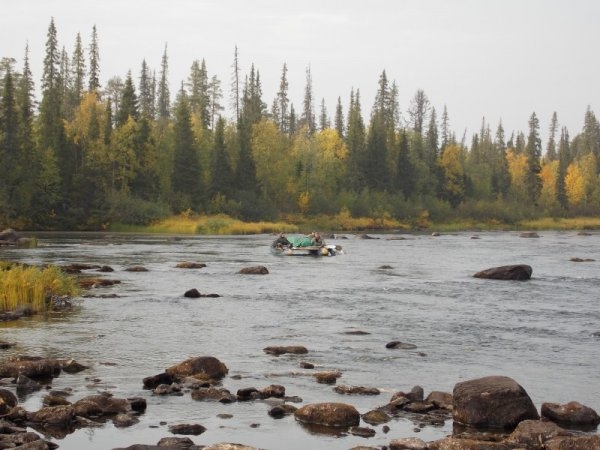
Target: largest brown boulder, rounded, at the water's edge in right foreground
(492, 402)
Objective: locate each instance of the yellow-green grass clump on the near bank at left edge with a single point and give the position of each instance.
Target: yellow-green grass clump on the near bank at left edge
(31, 288)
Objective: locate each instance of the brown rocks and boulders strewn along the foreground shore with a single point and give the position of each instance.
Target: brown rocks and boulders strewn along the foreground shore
(487, 413)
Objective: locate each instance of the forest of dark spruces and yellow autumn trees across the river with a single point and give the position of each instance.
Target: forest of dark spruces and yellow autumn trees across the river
(86, 156)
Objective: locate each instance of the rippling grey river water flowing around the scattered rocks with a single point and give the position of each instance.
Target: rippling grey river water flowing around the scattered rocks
(544, 333)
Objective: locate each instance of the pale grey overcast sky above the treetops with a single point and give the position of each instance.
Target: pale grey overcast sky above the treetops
(498, 59)
